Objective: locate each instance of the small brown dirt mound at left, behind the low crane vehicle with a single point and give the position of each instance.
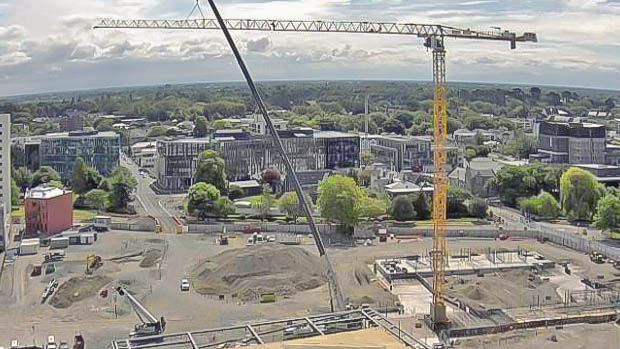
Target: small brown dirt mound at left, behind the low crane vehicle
(77, 289)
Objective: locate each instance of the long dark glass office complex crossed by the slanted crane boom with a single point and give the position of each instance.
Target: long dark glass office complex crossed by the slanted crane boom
(247, 155)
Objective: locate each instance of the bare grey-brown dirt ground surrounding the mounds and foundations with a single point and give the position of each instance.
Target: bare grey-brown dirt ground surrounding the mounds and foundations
(101, 320)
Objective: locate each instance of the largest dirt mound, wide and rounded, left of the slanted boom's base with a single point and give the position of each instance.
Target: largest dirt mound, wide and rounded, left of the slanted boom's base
(250, 272)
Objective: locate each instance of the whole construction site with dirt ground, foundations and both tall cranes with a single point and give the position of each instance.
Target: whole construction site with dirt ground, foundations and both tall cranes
(198, 290)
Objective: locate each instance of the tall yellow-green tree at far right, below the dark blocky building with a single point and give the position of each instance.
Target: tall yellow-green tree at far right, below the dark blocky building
(579, 193)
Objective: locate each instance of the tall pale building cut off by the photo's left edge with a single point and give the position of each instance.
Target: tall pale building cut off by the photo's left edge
(5, 166)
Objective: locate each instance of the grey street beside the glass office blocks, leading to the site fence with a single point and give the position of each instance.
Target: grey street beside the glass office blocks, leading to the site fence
(148, 202)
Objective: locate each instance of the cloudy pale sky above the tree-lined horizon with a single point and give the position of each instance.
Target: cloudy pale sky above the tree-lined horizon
(51, 46)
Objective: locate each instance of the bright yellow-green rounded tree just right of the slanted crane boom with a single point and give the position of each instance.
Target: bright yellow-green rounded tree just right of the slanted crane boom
(340, 200)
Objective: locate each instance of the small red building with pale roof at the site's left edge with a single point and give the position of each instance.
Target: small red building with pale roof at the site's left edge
(48, 211)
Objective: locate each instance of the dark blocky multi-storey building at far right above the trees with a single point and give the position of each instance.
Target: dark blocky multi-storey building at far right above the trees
(571, 143)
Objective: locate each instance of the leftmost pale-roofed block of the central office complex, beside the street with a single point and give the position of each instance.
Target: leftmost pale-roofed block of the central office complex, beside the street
(176, 162)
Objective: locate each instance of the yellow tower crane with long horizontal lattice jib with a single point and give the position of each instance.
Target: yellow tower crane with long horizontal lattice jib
(434, 36)
